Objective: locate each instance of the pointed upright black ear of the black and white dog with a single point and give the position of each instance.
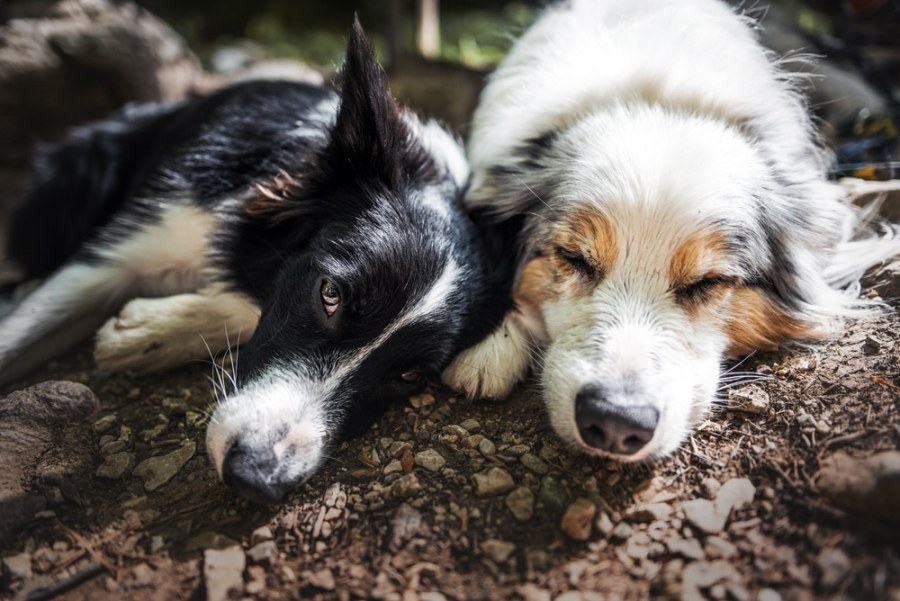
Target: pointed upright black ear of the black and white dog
(369, 136)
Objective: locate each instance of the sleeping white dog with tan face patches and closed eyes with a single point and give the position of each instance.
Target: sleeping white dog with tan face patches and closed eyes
(676, 213)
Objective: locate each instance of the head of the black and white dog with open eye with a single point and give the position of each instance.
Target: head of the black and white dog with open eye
(378, 279)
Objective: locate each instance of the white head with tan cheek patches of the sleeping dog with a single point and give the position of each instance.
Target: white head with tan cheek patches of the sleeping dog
(658, 244)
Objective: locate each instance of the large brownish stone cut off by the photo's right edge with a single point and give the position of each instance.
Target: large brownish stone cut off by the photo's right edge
(869, 487)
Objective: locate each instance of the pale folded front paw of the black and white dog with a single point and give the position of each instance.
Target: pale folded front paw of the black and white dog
(142, 338)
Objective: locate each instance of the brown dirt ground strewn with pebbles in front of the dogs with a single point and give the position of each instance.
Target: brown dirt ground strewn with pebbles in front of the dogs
(451, 499)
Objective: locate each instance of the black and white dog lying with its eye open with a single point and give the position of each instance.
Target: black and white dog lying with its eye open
(330, 227)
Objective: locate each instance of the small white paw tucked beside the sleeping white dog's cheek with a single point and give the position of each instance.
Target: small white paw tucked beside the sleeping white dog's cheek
(493, 367)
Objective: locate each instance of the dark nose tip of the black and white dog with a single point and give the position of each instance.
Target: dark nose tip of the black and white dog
(252, 474)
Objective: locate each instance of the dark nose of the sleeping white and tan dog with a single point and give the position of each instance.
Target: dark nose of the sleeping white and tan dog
(612, 428)
